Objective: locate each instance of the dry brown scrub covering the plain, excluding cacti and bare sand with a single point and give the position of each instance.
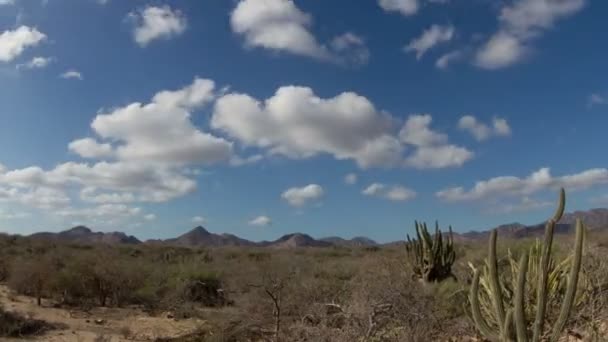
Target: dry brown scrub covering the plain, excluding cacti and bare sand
(331, 294)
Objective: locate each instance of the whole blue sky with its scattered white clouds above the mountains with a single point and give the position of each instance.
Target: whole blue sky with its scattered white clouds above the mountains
(265, 117)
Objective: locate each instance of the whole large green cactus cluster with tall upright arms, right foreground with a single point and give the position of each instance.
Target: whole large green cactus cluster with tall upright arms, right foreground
(504, 322)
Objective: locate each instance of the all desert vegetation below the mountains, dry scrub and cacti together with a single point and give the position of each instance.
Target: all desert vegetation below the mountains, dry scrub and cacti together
(312, 294)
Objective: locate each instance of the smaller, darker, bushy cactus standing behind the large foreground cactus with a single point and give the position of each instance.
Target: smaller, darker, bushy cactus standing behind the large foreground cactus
(431, 257)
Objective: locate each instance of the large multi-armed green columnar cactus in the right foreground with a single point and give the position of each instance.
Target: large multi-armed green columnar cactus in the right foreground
(511, 324)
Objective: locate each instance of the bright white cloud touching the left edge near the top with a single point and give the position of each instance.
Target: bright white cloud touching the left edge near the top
(13, 43)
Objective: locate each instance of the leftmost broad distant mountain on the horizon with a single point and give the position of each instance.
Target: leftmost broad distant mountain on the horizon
(82, 234)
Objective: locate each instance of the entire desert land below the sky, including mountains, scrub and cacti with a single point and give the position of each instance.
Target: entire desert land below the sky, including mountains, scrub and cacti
(79, 285)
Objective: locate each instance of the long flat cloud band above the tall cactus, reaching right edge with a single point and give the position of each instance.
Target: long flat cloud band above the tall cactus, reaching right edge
(515, 186)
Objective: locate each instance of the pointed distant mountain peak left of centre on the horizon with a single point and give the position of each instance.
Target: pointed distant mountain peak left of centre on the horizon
(199, 236)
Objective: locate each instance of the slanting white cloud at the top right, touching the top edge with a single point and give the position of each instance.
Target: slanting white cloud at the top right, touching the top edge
(520, 23)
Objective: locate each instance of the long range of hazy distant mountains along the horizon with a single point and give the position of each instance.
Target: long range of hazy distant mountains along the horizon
(201, 237)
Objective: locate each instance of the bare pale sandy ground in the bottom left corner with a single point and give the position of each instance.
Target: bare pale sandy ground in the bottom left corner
(116, 324)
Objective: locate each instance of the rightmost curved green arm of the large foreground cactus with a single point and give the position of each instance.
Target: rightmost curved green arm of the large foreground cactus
(572, 282)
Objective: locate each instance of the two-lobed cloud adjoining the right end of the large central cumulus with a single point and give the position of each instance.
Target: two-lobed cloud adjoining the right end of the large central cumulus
(432, 149)
